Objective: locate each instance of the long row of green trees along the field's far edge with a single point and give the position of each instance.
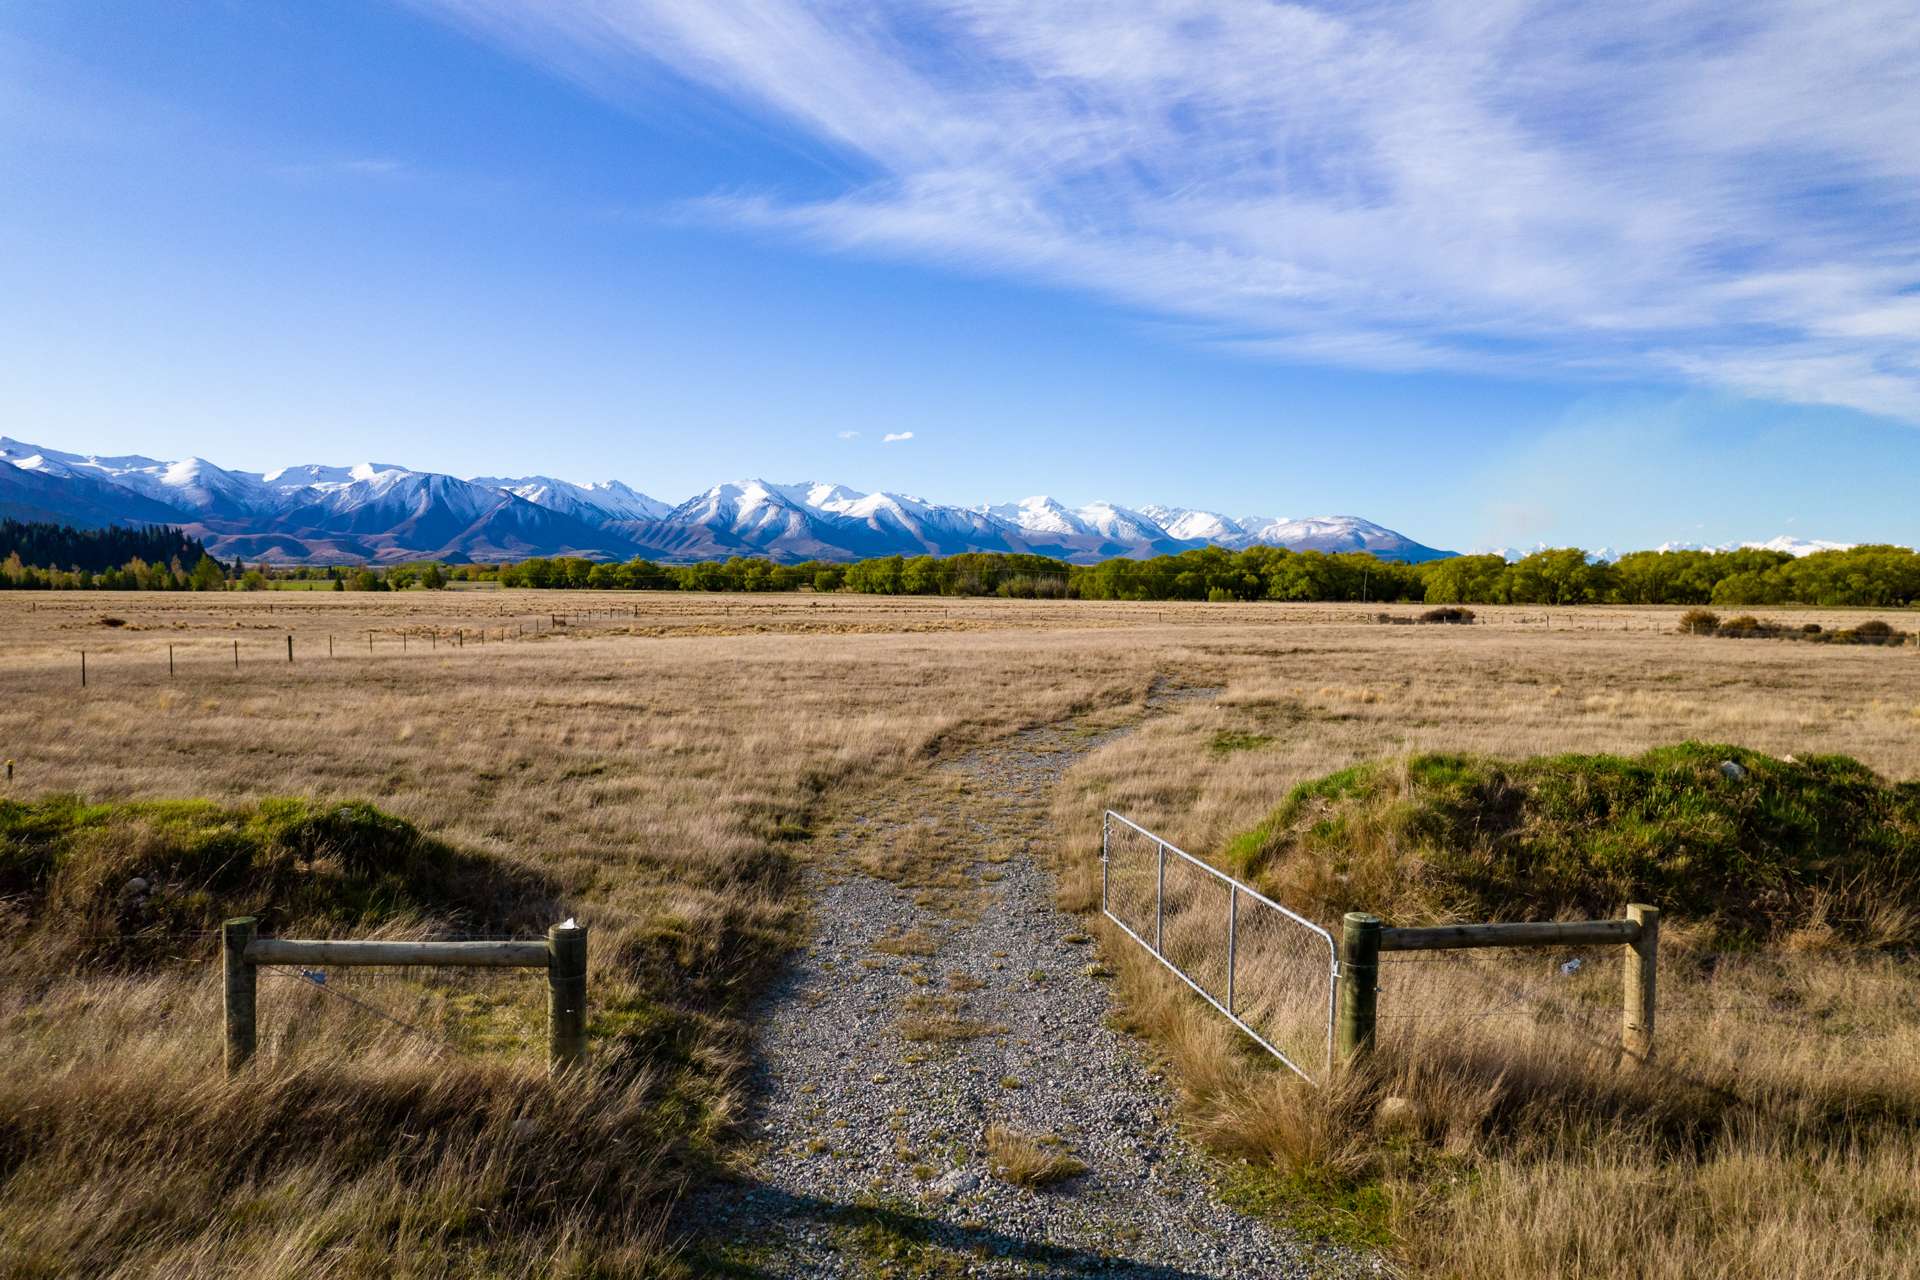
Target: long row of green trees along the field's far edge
(47, 556)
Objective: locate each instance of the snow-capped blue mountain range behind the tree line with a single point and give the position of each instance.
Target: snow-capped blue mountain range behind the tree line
(377, 511)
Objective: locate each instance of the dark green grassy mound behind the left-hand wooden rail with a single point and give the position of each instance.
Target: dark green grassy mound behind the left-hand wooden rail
(130, 884)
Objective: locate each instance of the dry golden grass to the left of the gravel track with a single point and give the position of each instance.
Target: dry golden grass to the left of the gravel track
(660, 788)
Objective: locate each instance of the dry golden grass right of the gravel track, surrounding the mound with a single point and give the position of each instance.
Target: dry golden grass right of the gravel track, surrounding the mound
(1773, 1137)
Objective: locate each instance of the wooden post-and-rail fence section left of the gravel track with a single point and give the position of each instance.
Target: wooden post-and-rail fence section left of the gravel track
(564, 957)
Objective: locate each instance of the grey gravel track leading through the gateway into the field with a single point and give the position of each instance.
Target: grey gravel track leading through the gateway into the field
(942, 995)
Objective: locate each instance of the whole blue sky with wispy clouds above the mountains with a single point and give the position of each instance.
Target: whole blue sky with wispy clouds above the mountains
(1487, 273)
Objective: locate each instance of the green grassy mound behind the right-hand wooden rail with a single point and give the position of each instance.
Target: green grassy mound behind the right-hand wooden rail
(1756, 851)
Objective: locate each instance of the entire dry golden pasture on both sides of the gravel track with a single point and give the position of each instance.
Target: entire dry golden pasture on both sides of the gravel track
(656, 767)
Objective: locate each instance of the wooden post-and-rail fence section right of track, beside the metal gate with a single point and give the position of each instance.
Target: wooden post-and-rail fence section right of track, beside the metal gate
(1364, 937)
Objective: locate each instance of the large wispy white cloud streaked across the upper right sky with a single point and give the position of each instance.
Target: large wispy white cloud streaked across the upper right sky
(1669, 191)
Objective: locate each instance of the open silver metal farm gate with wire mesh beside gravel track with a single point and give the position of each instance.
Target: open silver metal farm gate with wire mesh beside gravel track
(1266, 968)
